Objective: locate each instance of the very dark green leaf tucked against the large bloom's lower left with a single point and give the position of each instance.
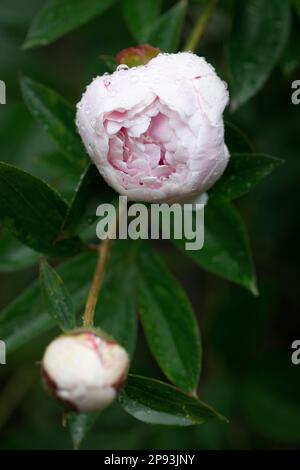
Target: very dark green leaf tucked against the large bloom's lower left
(91, 191)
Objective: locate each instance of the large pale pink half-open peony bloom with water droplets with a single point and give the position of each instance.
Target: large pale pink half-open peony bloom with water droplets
(155, 132)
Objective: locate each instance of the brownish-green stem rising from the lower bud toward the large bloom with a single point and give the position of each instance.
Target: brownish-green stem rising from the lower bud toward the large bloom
(103, 253)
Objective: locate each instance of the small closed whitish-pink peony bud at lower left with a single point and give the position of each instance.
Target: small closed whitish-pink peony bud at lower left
(84, 371)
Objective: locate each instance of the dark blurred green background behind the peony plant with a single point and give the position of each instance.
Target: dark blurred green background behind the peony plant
(247, 370)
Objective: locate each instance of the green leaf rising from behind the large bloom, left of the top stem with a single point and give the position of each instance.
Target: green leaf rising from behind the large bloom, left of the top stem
(165, 31)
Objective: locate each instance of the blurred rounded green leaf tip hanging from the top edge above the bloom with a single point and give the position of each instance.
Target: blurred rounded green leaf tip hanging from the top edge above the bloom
(140, 15)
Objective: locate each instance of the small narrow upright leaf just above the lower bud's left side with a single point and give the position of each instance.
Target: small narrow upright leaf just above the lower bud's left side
(56, 297)
